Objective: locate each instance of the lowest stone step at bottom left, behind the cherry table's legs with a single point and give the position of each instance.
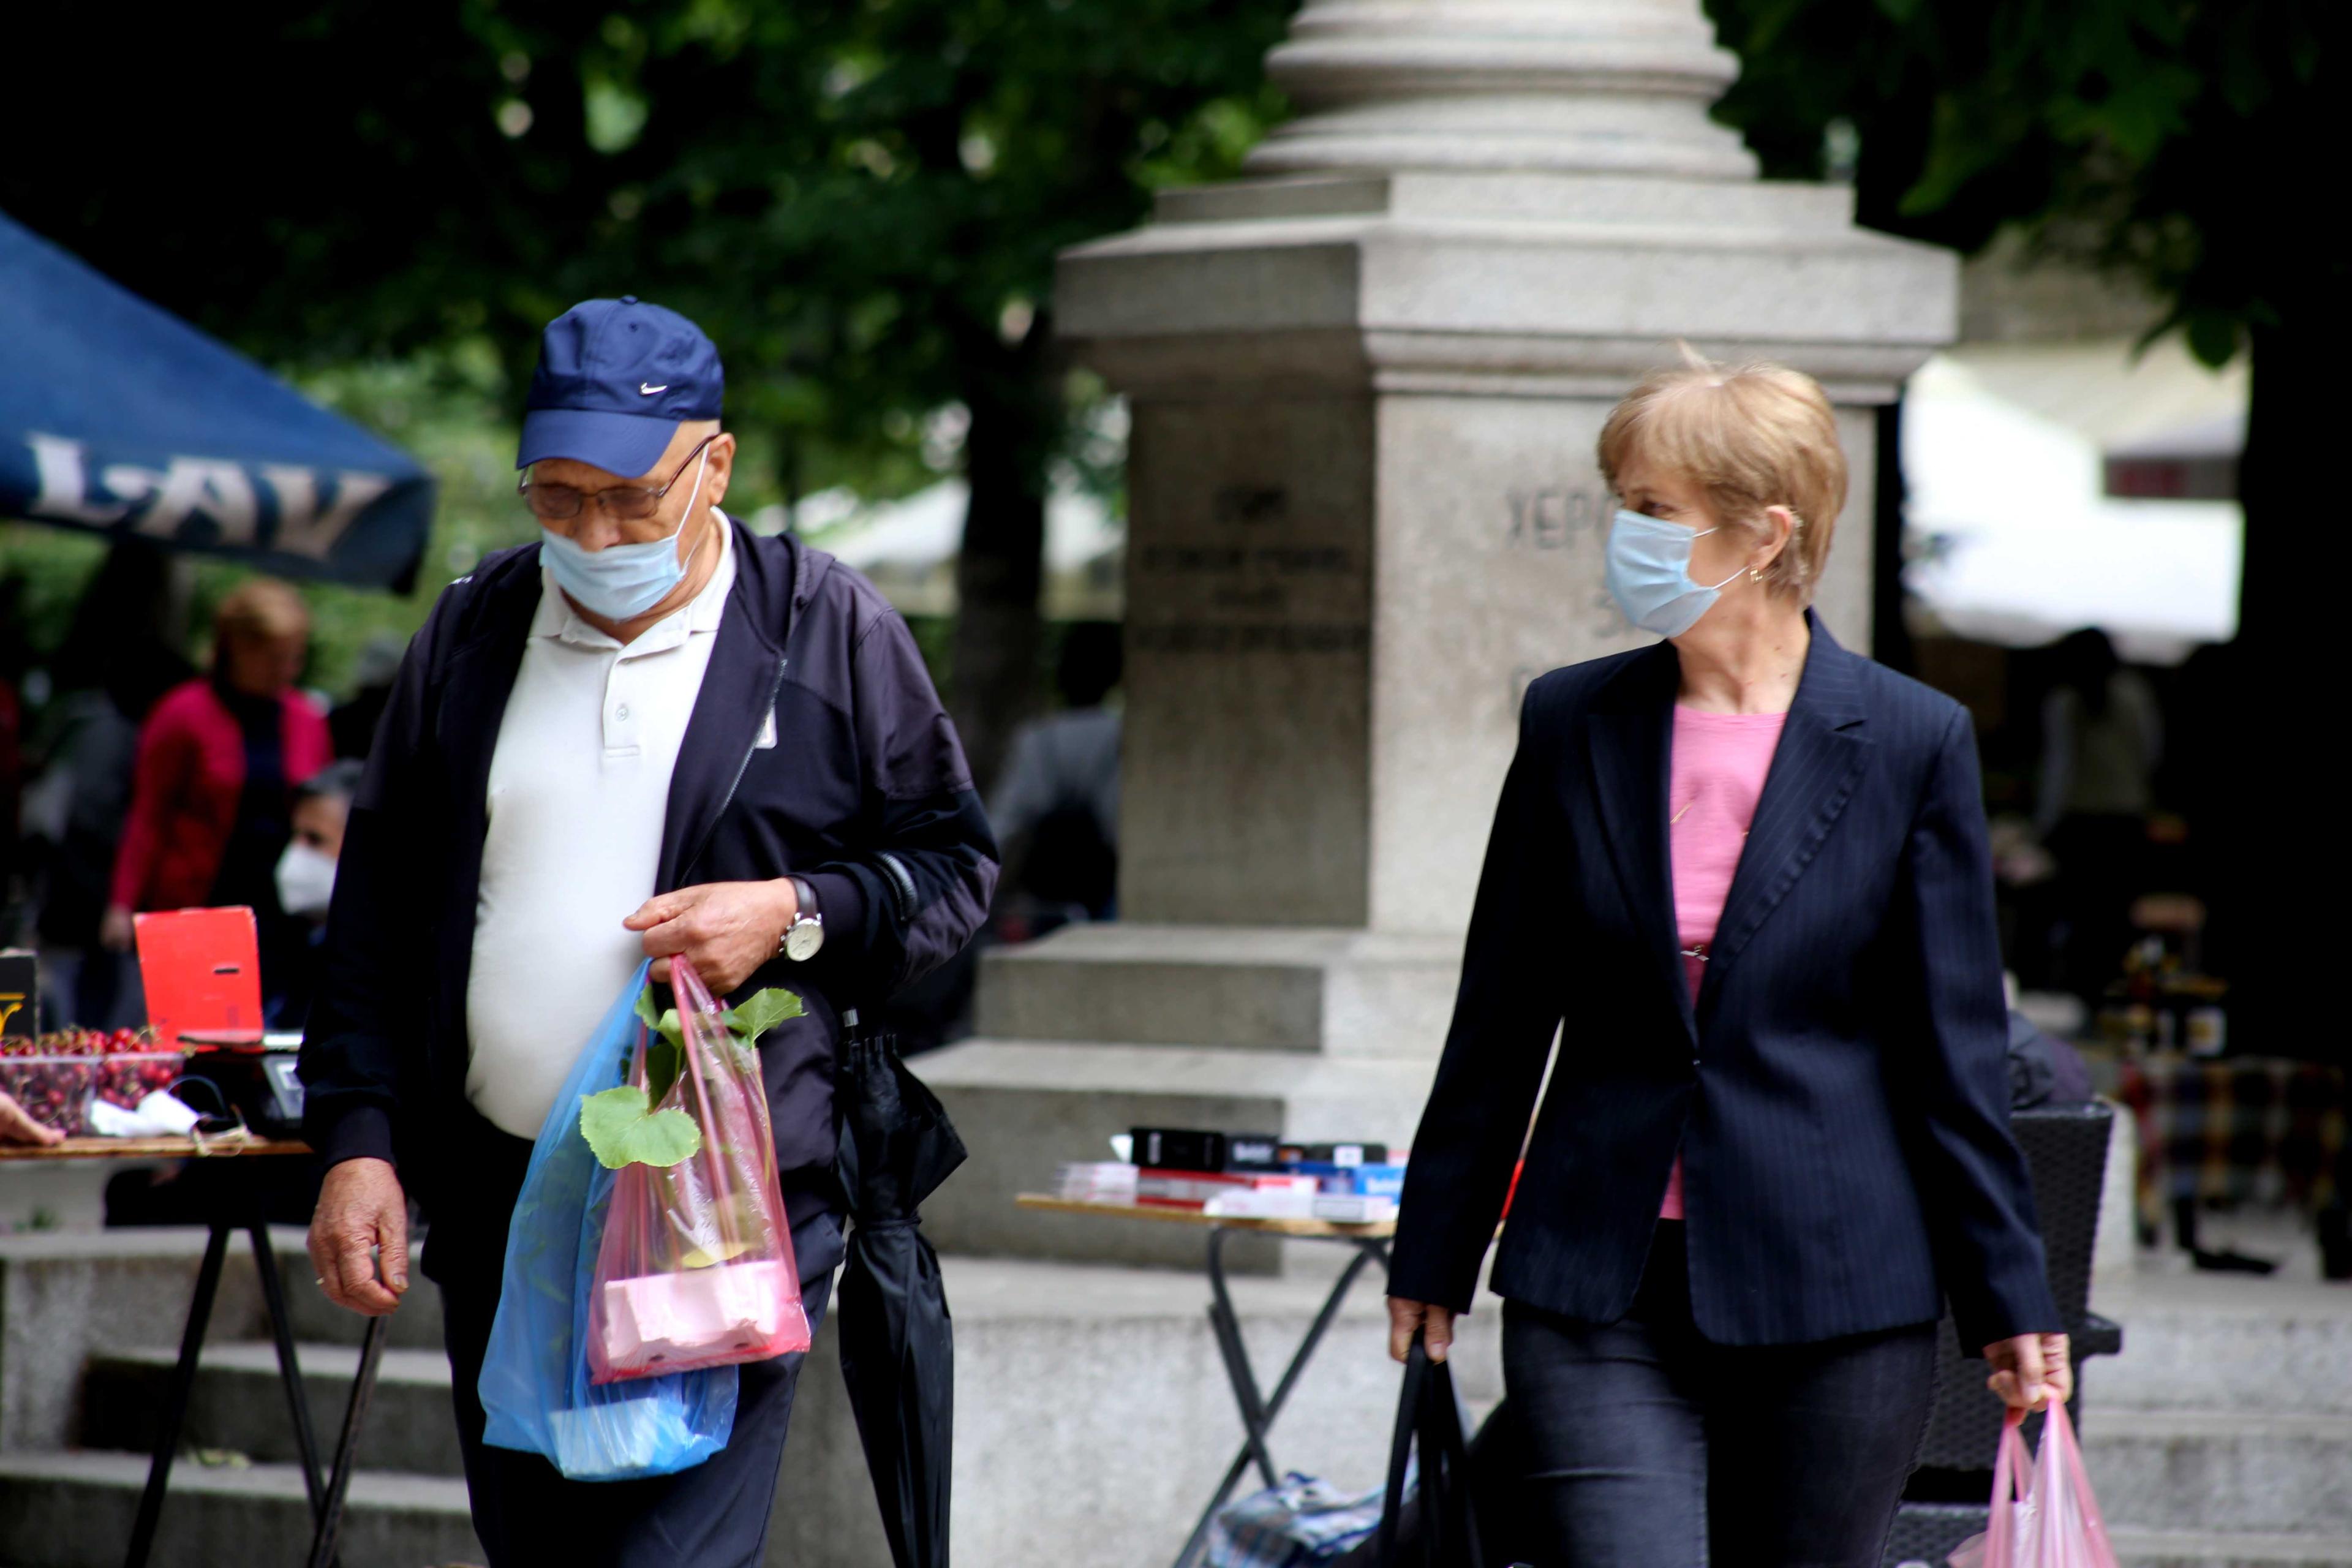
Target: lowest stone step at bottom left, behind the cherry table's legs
(74, 1510)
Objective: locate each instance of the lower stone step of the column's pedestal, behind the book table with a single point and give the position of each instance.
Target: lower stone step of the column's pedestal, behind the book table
(1029, 1106)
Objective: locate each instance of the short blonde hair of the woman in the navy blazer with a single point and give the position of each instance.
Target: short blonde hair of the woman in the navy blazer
(1753, 436)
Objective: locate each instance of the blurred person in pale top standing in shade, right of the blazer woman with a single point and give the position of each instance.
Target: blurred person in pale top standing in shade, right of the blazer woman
(2102, 742)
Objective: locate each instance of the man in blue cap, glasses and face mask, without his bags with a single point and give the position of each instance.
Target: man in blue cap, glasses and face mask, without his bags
(650, 735)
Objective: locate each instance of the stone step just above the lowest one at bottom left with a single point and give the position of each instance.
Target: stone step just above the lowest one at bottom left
(239, 1405)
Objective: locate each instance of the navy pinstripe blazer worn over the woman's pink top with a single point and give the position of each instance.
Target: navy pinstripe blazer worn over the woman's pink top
(1840, 1090)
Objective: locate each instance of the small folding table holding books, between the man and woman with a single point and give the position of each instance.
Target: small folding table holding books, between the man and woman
(1257, 1409)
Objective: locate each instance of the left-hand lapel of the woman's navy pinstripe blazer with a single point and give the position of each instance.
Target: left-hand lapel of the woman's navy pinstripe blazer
(1629, 742)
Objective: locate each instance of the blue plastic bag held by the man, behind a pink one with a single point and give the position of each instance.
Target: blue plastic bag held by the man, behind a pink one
(535, 1376)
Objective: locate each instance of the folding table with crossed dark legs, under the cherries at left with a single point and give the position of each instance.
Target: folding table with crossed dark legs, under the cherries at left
(236, 1209)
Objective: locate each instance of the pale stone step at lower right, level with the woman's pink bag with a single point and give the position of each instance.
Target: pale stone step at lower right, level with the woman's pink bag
(2221, 1470)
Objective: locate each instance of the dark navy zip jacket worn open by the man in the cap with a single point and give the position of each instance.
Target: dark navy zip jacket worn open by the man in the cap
(864, 793)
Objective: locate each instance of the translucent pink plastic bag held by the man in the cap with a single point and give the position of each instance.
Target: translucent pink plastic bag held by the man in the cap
(697, 1259)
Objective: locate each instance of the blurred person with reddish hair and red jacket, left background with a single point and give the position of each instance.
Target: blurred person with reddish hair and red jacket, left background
(213, 793)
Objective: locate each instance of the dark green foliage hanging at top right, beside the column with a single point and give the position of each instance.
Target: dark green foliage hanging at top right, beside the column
(2156, 138)
